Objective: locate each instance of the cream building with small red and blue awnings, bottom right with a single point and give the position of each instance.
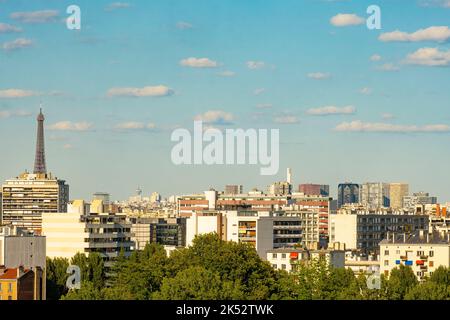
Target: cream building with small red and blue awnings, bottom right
(423, 251)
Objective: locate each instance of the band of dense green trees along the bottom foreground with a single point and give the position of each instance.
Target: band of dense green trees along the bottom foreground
(219, 270)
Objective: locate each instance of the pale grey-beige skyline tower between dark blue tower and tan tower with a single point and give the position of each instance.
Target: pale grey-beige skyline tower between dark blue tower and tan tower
(374, 195)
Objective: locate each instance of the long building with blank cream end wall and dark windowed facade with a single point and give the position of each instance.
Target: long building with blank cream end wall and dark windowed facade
(363, 230)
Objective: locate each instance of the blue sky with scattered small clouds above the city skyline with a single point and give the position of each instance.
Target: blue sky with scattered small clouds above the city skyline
(352, 104)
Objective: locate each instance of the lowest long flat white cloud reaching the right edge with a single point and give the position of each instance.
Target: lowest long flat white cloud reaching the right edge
(359, 126)
